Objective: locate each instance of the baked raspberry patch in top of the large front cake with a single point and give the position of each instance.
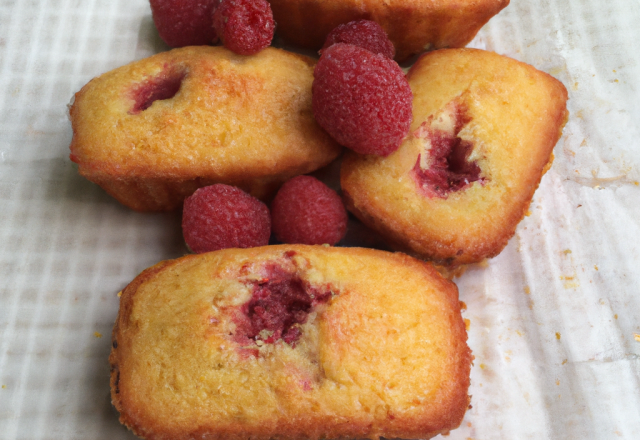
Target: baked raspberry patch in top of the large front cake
(280, 303)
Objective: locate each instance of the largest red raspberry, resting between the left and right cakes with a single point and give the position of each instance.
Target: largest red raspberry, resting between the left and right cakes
(362, 99)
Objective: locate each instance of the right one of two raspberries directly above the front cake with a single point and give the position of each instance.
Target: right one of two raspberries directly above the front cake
(307, 211)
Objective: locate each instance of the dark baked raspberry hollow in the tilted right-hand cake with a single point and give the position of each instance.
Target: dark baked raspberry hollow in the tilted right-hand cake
(446, 167)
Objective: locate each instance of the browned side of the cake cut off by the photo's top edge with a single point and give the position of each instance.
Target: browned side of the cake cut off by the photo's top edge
(412, 25)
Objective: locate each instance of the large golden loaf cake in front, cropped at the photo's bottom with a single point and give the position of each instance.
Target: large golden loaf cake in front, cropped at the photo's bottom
(378, 348)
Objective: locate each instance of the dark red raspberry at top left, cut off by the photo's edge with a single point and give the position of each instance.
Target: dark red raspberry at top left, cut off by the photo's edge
(184, 22)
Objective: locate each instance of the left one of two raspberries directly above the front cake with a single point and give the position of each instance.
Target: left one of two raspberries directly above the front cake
(222, 216)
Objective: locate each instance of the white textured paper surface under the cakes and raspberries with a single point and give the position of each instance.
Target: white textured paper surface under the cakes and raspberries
(553, 317)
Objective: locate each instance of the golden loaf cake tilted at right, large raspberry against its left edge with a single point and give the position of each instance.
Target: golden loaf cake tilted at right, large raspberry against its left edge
(500, 118)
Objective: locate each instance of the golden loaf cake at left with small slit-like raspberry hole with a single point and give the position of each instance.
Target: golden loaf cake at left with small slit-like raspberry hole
(152, 132)
